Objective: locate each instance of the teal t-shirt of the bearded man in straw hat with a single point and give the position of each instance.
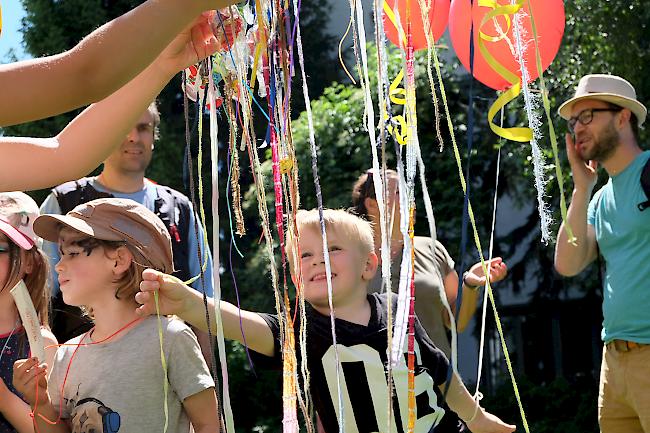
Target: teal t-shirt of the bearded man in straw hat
(623, 236)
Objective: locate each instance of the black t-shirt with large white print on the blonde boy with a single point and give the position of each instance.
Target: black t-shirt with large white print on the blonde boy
(362, 351)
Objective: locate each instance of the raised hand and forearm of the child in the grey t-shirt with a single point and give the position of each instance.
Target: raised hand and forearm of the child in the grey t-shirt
(30, 380)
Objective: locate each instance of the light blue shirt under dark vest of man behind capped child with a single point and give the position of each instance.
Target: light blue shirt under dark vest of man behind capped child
(146, 197)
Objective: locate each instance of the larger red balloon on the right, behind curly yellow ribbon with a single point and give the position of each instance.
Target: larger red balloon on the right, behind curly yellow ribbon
(549, 22)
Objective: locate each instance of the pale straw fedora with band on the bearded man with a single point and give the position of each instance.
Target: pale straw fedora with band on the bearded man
(608, 88)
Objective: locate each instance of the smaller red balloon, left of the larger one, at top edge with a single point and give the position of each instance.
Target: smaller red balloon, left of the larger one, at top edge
(438, 17)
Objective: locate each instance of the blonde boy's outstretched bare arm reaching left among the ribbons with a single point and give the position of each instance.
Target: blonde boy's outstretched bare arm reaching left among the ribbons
(176, 298)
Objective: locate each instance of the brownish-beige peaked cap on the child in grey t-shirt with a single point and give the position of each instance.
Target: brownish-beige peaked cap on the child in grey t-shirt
(116, 219)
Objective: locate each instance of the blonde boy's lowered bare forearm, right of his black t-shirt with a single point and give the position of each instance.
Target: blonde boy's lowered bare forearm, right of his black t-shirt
(476, 418)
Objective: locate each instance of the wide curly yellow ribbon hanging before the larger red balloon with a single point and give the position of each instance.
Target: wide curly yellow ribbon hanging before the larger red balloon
(520, 134)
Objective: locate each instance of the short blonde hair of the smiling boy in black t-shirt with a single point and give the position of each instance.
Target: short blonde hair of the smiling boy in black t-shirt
(350, 226)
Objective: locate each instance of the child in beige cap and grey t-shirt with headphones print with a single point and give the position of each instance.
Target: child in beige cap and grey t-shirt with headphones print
(111, 377)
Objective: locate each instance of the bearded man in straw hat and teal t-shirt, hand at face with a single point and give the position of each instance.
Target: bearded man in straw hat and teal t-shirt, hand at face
(604, 117)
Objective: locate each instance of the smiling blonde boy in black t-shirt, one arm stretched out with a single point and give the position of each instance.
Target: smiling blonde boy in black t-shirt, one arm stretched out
(361, 330)
